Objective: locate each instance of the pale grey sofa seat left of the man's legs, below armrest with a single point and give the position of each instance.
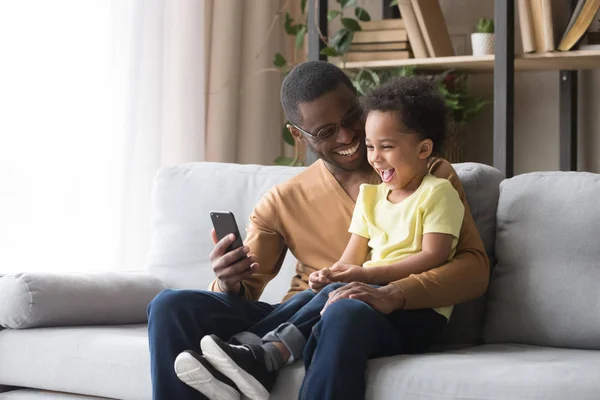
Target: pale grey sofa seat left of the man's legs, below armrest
(110, 361)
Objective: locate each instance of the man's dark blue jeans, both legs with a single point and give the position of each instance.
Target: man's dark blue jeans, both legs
(336, 354)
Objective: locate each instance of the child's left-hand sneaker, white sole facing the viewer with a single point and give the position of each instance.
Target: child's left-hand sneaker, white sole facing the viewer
(195, 371)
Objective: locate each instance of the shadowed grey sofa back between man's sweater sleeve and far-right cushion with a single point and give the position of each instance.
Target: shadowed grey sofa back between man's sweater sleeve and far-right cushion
(481, 184)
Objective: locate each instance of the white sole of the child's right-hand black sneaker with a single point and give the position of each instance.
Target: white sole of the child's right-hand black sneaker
(245, 382)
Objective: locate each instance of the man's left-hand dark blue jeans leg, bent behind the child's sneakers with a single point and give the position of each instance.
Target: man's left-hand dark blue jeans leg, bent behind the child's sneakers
(178, 319)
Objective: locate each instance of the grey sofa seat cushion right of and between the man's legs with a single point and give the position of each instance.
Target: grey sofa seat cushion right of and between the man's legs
(498, 372)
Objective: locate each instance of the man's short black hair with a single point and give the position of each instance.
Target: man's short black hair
(307, 82)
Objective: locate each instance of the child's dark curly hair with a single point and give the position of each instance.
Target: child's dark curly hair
(418, 104)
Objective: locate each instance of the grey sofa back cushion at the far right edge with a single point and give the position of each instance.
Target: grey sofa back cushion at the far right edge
(545, 286)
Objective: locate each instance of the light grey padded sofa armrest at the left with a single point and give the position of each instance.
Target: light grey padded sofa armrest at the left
(33, 300)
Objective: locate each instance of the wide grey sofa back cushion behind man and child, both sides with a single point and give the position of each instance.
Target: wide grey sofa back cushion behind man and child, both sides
(184, 195)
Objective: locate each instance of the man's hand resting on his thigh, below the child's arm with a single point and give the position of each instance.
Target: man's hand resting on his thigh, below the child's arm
(384, 299)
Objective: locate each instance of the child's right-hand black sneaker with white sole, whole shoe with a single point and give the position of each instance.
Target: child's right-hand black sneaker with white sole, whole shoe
(244, 365)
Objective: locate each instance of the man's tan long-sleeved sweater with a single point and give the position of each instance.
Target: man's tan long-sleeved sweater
(310, 215)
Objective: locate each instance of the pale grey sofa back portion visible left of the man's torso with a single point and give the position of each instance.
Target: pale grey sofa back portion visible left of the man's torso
(183, 197)
